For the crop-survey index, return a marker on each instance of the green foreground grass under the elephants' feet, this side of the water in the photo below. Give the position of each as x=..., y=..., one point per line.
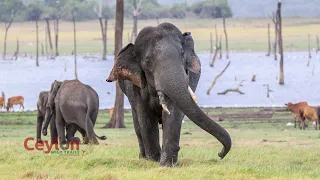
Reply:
x=262, y=149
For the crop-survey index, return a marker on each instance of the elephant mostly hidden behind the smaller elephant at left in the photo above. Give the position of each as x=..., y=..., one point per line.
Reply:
x=41, y=108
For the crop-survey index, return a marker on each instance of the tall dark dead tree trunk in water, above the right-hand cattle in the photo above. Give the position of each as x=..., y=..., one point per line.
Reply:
x=279, y=19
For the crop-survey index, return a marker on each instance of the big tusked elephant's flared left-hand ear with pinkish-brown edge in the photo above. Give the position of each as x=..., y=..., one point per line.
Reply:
x=127, y=67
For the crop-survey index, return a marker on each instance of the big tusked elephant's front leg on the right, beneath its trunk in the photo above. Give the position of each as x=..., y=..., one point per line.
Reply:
x=171, y=134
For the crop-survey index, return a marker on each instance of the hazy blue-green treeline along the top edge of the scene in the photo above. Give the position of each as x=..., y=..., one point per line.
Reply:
x=28, y=10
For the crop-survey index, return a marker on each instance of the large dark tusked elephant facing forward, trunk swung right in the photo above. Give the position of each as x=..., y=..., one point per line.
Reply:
x=155, y=73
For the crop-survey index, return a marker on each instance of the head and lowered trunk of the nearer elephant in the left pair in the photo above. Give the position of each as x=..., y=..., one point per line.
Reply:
x=50, y=106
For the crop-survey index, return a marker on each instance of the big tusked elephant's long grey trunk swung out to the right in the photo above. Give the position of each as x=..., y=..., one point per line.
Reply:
x=174, y=84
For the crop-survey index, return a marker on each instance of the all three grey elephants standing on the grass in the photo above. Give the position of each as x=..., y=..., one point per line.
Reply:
x=158, y=74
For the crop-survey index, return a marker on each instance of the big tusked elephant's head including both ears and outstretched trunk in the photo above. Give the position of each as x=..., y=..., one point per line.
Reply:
x=161, y=58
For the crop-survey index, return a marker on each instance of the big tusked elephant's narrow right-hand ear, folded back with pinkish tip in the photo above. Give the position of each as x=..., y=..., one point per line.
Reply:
x=193, y=62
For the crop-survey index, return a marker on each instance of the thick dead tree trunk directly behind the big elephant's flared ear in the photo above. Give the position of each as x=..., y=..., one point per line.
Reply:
x=117, y=119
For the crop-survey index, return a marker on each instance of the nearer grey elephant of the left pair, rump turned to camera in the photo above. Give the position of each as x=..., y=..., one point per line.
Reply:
x=73, y=104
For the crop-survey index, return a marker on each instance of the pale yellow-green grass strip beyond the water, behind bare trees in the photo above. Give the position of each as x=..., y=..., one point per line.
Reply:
x=244, y=34
